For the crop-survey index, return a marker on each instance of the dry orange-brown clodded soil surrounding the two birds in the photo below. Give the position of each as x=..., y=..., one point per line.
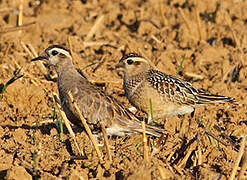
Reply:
x=211, y=36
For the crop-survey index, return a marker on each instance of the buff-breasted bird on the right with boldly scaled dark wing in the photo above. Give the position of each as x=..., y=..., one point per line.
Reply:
x=161, y=95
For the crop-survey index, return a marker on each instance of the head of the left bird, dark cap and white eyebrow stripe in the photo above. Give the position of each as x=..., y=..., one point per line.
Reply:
x=55, y=55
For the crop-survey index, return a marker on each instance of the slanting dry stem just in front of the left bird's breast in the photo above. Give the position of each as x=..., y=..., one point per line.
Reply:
x=67, y=124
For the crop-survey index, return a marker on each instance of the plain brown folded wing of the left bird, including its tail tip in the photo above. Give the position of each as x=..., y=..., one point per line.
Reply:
x=96, y=106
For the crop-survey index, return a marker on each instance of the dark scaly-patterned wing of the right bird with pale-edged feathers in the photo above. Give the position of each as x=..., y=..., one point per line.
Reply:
x=180, y=91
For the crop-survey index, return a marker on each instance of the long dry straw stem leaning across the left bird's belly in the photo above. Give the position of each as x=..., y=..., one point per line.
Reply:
x=86, y=126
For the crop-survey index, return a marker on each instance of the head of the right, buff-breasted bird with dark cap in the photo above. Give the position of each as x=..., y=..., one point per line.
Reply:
x=132, y=64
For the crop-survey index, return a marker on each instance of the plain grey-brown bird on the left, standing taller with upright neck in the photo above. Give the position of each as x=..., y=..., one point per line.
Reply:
x=94, y=104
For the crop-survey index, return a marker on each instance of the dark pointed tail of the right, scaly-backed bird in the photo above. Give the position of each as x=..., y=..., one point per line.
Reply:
x=204, y=98
